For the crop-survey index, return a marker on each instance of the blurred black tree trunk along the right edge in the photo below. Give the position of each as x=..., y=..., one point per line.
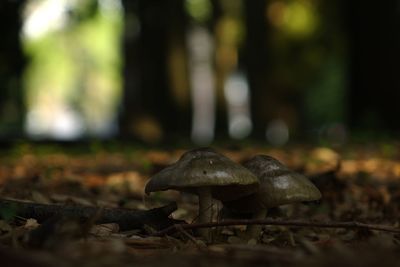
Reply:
x=373, y=32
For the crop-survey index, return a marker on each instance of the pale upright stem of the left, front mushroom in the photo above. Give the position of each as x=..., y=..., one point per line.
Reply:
x=205, y=210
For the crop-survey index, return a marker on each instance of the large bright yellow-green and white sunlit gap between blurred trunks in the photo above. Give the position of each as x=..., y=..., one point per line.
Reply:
x=72, y=80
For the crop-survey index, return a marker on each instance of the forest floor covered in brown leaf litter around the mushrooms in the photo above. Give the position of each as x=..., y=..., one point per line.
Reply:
x=359, y=183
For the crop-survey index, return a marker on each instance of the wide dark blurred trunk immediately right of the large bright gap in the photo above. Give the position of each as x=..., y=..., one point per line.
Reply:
x=146, y=91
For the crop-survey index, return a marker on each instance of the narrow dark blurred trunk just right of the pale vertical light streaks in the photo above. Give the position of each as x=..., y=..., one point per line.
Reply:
x=256, y=58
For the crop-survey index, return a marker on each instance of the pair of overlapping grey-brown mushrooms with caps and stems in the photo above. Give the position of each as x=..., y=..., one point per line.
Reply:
x=263, y=182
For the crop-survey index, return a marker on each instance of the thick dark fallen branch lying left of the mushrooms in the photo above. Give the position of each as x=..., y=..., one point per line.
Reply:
x=127, y=219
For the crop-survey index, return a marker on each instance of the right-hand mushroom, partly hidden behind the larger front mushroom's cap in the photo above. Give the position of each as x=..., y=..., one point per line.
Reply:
x=278, y=186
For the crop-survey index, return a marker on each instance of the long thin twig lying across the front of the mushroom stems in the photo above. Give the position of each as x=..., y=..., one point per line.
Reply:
x=294, y=223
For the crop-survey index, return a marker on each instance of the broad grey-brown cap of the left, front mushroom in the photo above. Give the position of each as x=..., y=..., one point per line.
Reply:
x=204, y=167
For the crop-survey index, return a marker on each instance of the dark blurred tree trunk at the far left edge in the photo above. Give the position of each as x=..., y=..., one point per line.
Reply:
x=12, y=62
